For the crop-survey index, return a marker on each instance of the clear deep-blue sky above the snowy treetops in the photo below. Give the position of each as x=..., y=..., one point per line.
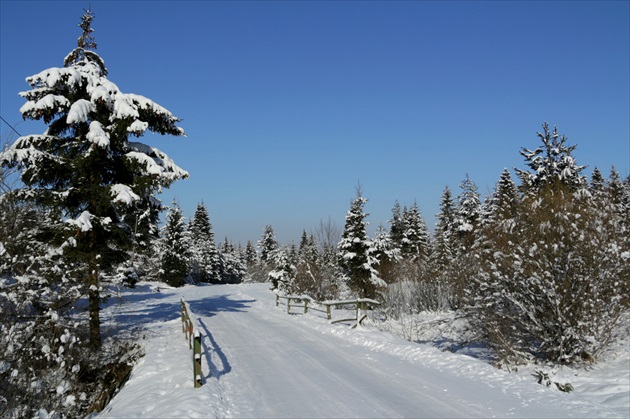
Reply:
x=287, y=105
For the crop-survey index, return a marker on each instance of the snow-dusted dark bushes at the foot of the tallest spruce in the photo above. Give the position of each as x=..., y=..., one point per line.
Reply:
x=46, y=362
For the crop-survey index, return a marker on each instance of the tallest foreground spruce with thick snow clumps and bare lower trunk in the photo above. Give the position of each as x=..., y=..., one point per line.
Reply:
x=85, y=166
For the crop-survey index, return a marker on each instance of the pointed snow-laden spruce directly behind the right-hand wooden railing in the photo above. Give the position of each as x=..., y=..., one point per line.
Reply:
x=356, y=254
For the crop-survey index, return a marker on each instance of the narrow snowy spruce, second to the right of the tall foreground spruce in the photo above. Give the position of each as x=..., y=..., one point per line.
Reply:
x=204, y=259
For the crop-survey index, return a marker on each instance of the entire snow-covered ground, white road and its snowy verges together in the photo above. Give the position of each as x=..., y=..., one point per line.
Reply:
x=261, y=362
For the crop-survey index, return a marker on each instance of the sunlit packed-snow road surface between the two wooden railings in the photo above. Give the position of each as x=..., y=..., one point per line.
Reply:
x=297, y=373
